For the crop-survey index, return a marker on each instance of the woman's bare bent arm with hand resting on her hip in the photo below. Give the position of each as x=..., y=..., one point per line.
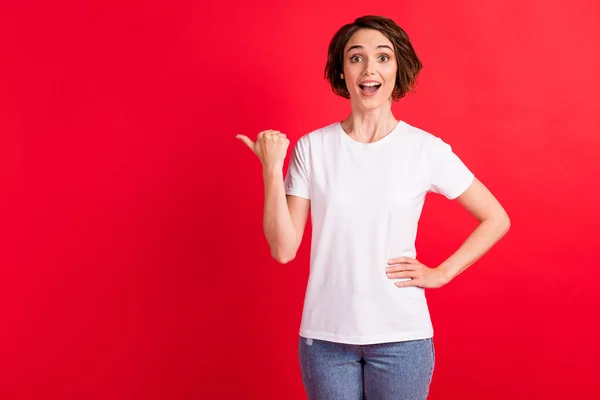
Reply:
x=493, y=224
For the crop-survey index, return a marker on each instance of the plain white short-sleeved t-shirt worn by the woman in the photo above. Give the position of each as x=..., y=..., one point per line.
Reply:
x=366, y=200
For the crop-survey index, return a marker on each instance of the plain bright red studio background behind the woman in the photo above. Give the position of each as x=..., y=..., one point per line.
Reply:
x=132, y=259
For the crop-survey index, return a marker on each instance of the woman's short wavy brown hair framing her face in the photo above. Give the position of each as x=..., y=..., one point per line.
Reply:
x=409, y=65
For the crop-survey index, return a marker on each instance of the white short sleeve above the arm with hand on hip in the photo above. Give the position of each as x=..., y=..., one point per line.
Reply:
x=449, y=175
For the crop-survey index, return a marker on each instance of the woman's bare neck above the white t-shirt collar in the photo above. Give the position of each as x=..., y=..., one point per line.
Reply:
x=369, y=125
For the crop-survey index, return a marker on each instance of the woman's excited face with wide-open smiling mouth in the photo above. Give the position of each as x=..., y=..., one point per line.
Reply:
x=370, y=69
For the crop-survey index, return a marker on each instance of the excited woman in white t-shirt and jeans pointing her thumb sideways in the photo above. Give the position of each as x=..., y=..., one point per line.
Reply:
x=366, y=329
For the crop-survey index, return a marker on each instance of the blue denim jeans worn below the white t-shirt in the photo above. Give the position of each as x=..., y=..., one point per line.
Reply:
x=337, y=371
